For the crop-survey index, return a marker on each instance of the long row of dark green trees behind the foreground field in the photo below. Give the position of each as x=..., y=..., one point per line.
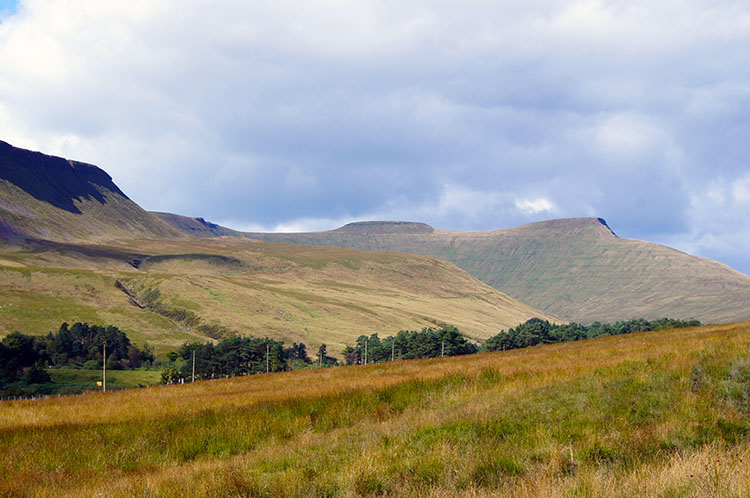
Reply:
x=24, y=358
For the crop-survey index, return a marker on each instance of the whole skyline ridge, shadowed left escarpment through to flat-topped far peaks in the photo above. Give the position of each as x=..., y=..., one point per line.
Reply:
x=575, y=268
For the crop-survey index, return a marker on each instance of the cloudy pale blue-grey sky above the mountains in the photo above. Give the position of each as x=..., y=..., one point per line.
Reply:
x=470, y=115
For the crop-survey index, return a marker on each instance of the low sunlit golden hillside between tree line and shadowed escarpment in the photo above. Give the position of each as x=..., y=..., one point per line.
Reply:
x=296, y=293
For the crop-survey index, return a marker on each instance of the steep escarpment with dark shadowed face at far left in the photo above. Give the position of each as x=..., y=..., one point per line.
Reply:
x=51, y=198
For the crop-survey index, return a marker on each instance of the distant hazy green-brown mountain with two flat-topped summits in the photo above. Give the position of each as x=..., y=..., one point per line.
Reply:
x=577, y=269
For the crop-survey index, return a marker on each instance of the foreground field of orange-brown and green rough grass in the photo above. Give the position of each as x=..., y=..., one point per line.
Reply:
x=658, y=413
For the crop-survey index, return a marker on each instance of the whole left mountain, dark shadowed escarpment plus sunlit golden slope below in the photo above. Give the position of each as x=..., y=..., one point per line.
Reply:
x=77, y=249
